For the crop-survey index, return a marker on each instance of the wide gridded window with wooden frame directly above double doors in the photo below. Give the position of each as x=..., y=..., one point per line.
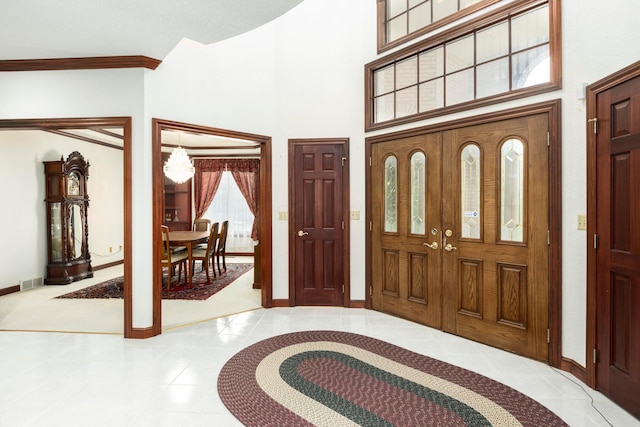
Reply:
x=514, y=54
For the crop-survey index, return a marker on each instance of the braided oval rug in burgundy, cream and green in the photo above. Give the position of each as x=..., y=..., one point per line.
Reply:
x=329, y=378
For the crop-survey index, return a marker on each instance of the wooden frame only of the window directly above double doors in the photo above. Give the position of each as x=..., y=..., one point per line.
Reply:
x=481, y=22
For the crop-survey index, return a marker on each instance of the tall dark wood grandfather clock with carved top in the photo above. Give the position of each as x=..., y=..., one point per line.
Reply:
x=67, y=202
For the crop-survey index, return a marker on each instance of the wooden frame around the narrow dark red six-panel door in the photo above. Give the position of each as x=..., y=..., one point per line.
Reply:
x=346, y=302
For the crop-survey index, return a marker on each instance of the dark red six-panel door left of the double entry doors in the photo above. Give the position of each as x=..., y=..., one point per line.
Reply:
x=318, y=222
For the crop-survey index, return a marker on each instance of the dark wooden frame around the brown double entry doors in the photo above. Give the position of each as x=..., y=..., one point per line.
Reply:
x=553, y=110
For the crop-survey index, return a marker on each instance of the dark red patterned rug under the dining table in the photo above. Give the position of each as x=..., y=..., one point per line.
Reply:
x=201, y=290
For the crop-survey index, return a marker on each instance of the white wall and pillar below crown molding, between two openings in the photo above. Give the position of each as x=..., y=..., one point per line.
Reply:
x=97, y=93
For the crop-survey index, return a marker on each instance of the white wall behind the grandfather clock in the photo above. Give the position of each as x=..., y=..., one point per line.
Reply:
x=24, y=210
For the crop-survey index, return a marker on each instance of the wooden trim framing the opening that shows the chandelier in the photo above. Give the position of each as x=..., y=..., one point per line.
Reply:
x=264, y=208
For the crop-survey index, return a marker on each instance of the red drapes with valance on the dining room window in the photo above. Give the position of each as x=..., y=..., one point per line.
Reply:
x=246, y=173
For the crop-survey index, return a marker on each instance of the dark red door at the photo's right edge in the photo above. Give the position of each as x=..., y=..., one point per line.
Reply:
x=618, y=251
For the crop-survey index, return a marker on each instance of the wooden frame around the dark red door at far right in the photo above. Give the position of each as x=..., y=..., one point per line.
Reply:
x=592, y=92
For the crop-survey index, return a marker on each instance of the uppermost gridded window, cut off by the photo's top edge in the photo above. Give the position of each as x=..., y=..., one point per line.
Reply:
x=403, y=20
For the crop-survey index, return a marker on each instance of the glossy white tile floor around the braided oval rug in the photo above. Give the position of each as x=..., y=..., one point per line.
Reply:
x=78, y=379
